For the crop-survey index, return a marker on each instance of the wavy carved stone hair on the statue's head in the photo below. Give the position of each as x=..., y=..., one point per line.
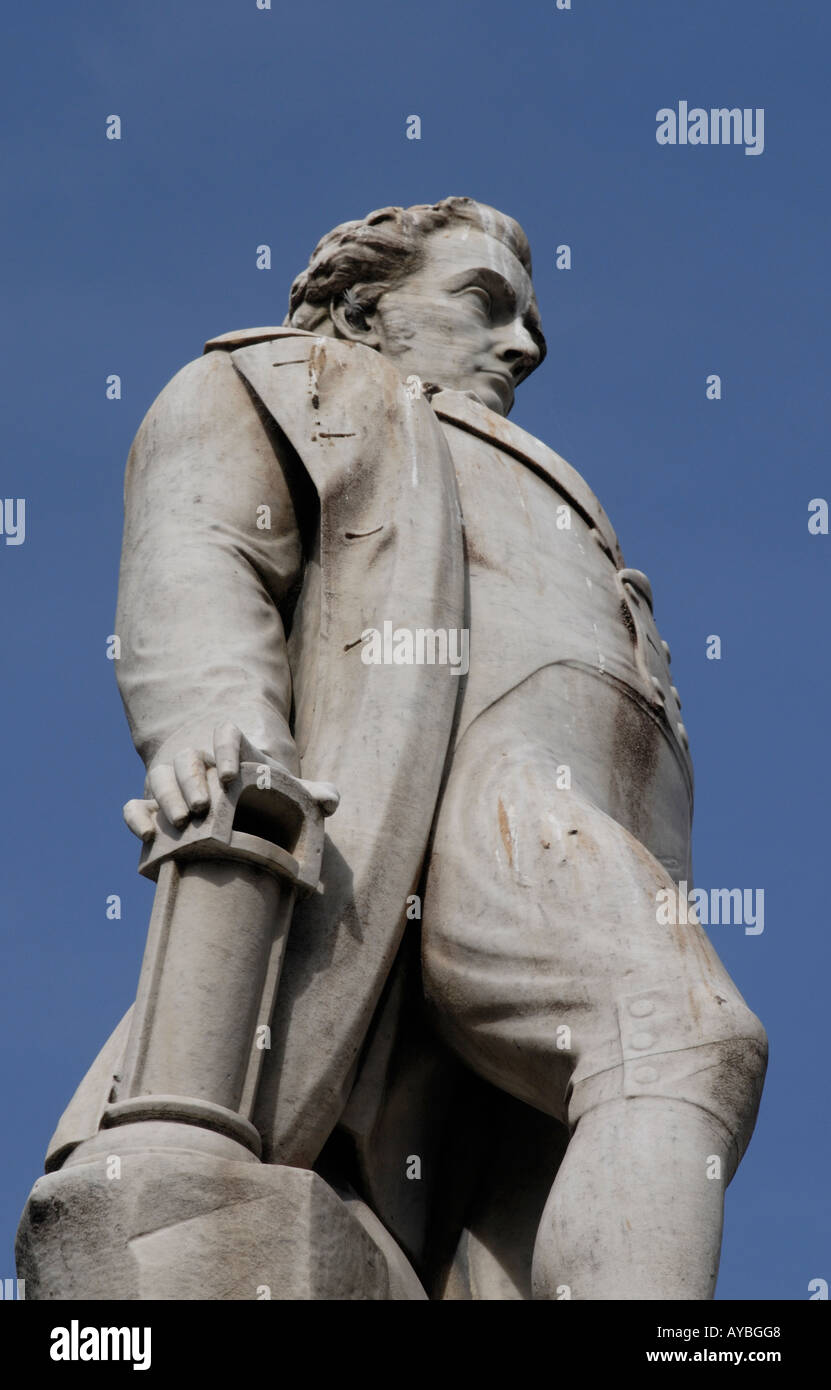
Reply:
x=361, y=261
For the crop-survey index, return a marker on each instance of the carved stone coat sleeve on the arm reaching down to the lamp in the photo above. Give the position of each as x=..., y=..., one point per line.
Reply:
x=212, y=551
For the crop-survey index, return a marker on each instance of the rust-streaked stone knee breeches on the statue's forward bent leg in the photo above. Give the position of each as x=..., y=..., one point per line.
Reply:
x=544, y=960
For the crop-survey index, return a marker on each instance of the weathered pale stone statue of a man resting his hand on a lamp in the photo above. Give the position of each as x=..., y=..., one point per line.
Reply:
x=408, y=1024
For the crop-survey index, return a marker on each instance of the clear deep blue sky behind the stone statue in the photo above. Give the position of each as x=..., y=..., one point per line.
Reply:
x=244, y=127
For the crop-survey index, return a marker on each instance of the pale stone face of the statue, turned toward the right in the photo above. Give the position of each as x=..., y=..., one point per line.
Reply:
x=465, y=320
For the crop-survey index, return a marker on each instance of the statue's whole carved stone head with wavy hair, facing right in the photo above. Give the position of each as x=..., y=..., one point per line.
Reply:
x=444, y=291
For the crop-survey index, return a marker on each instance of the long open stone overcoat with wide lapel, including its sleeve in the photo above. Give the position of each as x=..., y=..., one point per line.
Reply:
x=388, y=547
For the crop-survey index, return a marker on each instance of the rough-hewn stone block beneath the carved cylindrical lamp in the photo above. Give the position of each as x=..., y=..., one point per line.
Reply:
x=191, y=1228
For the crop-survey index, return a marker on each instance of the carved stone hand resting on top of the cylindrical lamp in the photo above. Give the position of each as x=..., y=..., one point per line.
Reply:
x=177, y=780
